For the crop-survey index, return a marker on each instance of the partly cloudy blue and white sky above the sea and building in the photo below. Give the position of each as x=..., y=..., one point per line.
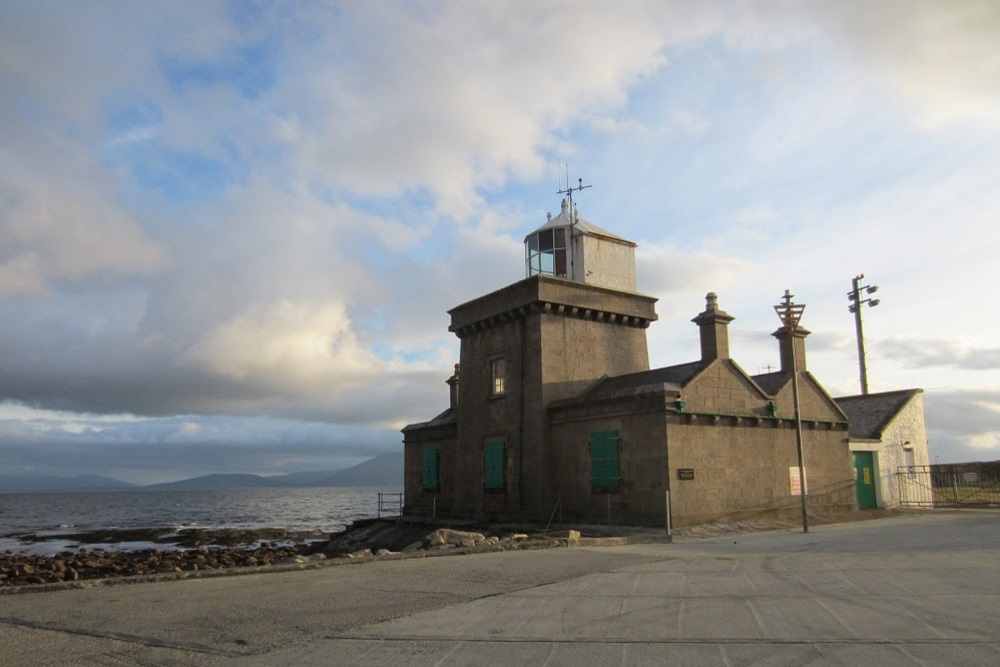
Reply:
x=230, y=232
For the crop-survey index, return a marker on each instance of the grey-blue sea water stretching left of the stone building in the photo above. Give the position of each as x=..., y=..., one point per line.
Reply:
x=326, y=509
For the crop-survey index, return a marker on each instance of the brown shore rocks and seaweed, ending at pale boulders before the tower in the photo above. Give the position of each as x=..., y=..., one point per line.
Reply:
x=212, y=550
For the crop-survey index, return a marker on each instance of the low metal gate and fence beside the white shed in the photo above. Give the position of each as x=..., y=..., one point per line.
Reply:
x=947, y=486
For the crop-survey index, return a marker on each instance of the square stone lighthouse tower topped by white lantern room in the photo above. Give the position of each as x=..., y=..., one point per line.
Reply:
x=574, y=319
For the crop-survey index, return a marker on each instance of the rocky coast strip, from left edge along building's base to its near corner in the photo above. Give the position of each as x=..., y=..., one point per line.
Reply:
x=233, y=552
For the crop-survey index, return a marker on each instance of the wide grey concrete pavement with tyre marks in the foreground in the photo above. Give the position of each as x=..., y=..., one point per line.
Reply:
x=921, y=589
